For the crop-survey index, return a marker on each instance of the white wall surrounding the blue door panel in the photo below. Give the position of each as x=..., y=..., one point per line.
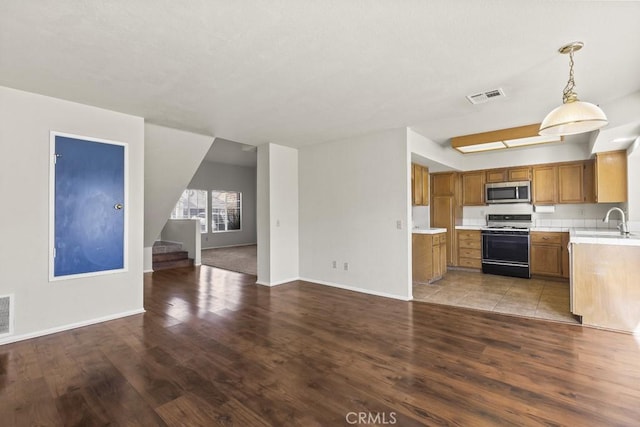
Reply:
x=42, y=306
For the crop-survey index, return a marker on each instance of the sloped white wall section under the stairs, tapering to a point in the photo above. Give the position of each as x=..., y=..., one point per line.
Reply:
x=171, y=157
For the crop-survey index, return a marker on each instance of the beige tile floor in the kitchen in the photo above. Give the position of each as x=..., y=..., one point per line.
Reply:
x=543, y=299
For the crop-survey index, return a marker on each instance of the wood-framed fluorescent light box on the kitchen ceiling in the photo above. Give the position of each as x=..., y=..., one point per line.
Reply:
x=502, y=139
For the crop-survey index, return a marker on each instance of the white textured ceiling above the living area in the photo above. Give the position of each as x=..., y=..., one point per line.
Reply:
x=297, y=72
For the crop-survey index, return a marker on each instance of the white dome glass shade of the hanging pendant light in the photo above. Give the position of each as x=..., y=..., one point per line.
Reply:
x=573, y=118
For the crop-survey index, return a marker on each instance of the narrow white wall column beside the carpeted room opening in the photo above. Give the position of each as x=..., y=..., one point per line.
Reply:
x=277, y=214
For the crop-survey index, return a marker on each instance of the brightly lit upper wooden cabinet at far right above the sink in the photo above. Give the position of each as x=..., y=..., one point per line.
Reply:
x=611, y=177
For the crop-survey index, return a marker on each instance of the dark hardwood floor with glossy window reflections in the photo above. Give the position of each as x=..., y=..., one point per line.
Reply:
x=213, y=348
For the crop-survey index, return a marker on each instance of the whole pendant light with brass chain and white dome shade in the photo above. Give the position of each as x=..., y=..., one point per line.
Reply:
x=573, y=116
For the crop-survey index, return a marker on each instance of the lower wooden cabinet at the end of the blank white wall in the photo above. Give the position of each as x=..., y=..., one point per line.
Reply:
x=429, y=257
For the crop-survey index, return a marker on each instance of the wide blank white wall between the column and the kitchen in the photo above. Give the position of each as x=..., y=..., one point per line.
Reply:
x=352, y=193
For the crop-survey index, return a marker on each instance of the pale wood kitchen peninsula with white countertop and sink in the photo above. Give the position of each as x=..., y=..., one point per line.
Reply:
x=605, y=279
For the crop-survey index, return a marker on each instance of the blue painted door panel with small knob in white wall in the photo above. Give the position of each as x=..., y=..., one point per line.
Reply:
x=89, y=230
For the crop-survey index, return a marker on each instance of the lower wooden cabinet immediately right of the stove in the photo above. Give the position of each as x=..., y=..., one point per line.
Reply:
x=549, y=254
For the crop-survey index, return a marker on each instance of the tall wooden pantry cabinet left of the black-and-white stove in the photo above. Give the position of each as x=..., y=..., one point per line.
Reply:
x=446, y=208
